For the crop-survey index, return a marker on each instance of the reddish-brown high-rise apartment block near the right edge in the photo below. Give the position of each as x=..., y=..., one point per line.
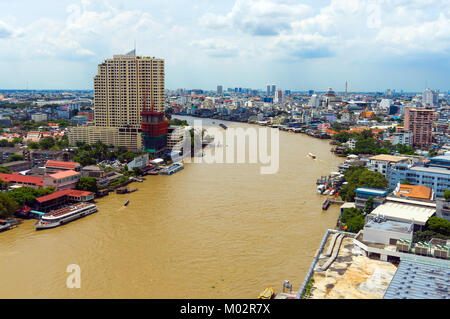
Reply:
x=420, y=122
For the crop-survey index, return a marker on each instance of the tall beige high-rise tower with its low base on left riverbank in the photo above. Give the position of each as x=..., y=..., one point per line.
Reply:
x=124, y=87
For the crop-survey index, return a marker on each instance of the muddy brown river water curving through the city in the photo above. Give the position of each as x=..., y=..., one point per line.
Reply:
x=208, y=231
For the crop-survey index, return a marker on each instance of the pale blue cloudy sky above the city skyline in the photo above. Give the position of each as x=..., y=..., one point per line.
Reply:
x=374, y=45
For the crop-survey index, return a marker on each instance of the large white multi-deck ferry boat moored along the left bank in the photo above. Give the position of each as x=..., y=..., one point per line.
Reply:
x=64, y=215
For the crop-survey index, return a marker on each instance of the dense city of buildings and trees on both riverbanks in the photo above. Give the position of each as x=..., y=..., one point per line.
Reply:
x=59, y=150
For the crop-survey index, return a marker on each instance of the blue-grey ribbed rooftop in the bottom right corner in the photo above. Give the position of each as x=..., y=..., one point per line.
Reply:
x=420, y=278
